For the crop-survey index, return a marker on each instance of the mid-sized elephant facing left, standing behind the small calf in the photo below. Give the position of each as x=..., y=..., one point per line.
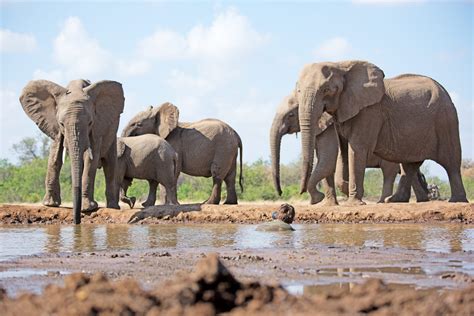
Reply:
x=206, y=148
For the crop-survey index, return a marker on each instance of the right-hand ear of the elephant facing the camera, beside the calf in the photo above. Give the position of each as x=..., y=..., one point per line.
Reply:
x=109, y=102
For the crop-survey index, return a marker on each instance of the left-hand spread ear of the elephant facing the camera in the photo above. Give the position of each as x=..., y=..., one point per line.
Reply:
x=39, y=101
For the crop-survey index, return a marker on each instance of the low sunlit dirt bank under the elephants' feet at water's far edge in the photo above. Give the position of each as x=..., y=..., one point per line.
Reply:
x=245, y=213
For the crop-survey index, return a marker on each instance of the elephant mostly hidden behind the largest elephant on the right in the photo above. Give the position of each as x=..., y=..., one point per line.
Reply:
x=286, y=121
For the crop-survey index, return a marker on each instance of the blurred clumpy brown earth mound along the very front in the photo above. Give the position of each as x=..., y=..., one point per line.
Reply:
x=212, y=289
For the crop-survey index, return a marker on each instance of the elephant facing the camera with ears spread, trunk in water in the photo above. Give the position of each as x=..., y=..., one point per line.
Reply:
x=84, y=118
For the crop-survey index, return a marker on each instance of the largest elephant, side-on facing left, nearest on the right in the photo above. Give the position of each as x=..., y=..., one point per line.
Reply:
x=406, y=119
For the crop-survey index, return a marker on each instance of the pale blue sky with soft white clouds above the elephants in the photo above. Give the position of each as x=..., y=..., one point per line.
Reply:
x=233, y=61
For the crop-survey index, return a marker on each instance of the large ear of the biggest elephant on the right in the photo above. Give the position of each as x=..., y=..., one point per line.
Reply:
x=363, y=86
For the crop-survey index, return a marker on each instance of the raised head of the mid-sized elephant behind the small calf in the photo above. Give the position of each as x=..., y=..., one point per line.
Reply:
x=155, y=120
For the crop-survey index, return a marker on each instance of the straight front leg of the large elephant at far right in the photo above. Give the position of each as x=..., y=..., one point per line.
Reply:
x=357, y=164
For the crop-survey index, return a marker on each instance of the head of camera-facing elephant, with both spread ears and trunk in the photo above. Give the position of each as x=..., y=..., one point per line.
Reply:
x=77, y=115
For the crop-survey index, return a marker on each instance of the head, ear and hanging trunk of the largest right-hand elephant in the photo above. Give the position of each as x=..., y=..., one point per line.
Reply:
x=342, y=89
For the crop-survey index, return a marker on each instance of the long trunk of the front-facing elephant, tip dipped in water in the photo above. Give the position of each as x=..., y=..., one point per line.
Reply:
x=76, y=147
